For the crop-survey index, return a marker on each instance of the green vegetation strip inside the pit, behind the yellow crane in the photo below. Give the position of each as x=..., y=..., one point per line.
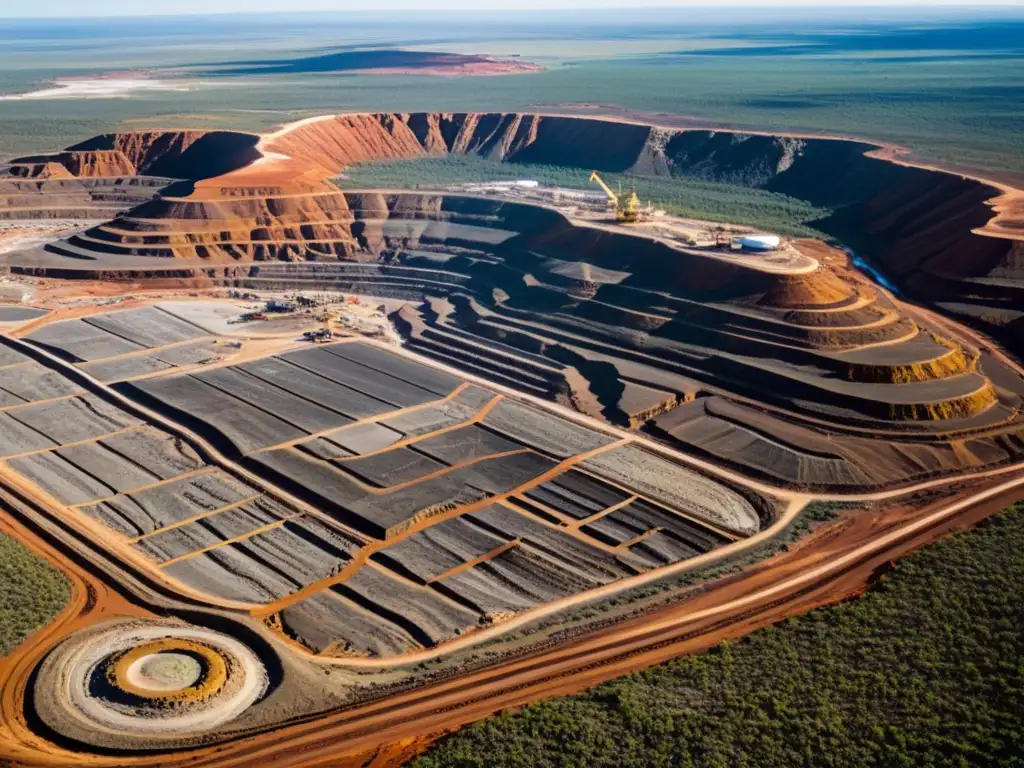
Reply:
x=690, y=198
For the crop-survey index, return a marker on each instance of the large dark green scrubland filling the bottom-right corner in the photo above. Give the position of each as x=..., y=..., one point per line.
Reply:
x=925, y=670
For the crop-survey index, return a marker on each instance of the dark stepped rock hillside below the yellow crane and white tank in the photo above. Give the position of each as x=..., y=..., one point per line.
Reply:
x=599, y=318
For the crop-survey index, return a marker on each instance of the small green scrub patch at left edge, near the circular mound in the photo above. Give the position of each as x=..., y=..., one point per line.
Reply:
x=32, y=593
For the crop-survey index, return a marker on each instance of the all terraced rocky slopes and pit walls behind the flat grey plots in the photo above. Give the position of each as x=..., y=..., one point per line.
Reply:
x=614, y=323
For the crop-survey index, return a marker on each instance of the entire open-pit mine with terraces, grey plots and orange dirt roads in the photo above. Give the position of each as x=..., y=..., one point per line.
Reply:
x=297, y=553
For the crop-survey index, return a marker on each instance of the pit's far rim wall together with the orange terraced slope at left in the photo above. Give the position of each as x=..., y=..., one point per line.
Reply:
x=934, y=234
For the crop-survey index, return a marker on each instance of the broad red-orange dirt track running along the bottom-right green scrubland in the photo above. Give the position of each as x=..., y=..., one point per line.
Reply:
x=391, y=732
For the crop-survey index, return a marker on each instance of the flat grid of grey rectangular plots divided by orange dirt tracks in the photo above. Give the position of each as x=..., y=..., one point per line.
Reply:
x=371, y=503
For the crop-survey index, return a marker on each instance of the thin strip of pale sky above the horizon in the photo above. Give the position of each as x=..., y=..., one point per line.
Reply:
x=69, y=9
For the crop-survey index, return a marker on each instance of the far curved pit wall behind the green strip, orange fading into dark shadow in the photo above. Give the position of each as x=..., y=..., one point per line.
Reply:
x=915, y=225
